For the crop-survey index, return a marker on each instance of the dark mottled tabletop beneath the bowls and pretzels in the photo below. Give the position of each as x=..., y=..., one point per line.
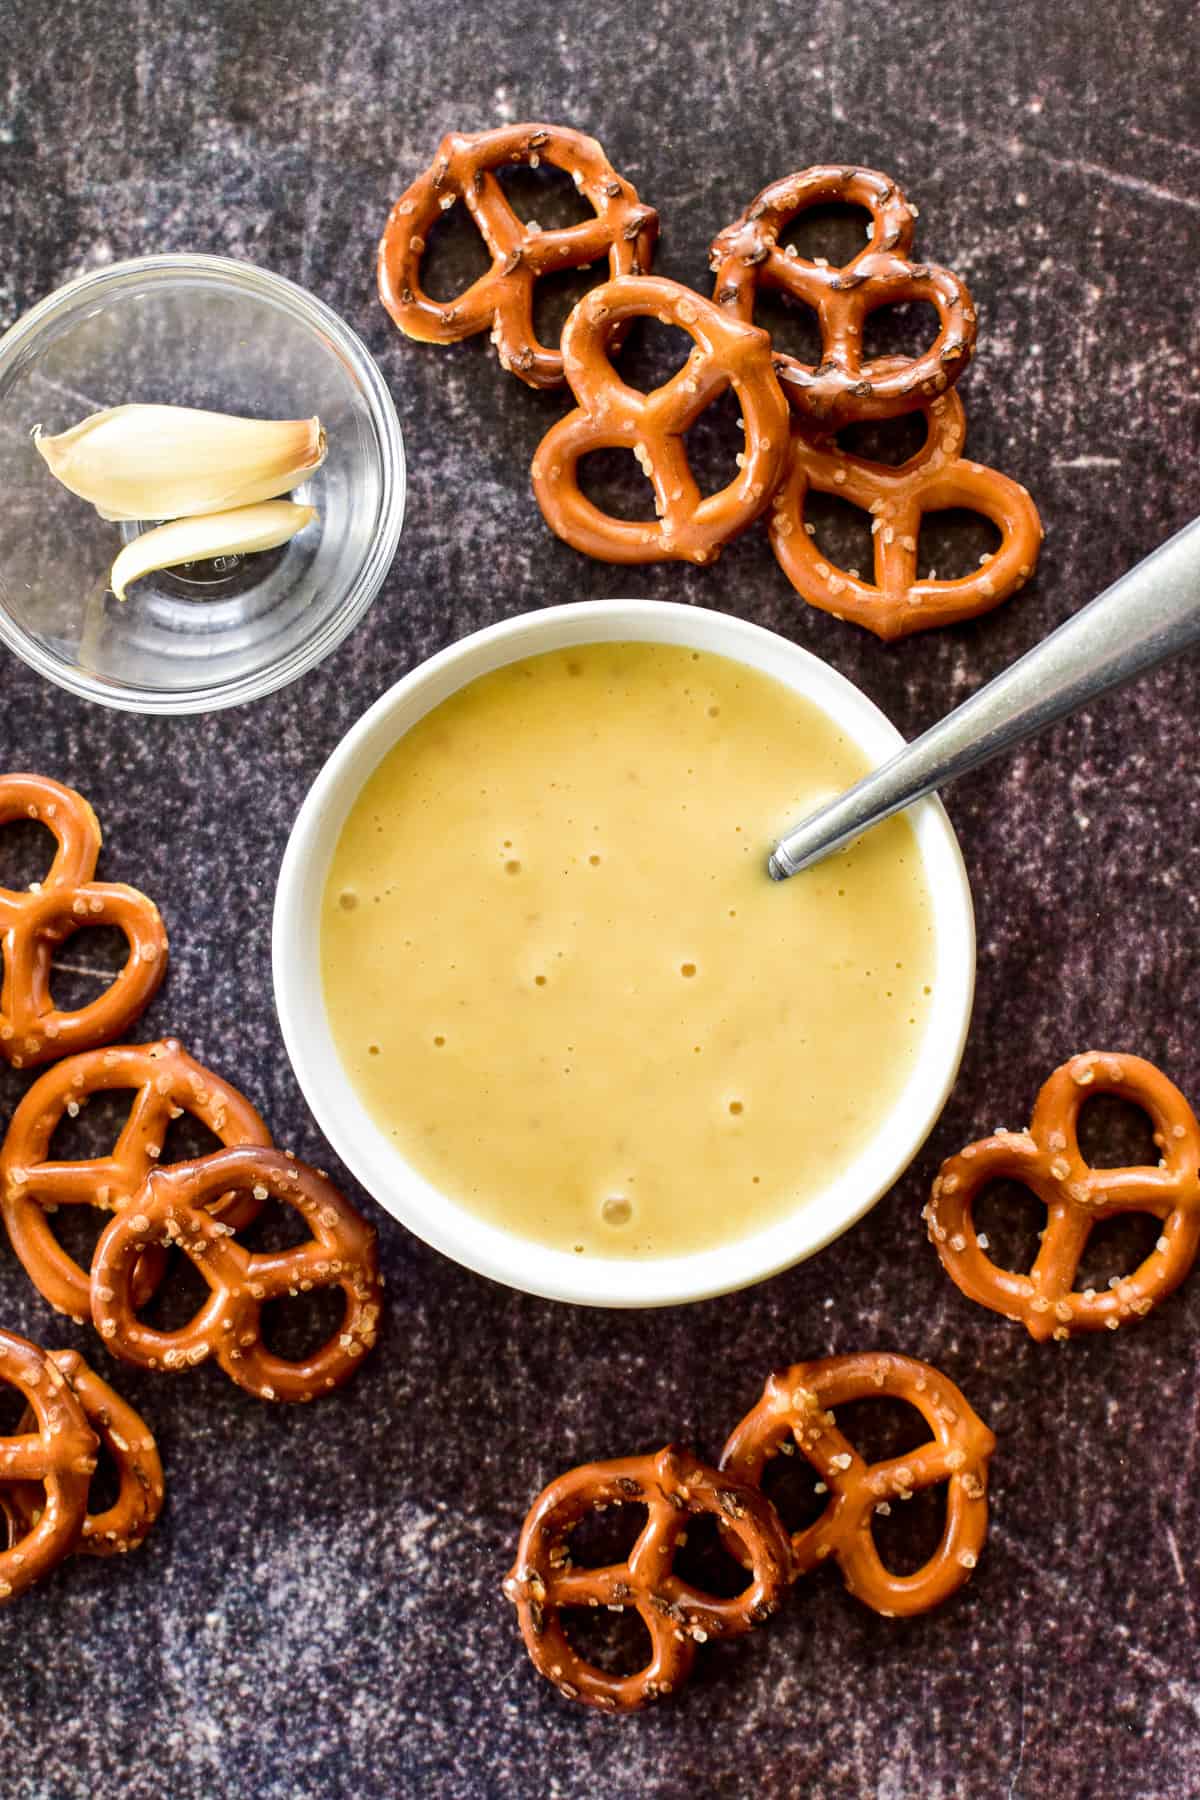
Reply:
x=319, y=1612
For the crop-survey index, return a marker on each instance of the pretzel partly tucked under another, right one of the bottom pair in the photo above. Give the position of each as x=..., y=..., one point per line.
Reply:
x=798, y=1410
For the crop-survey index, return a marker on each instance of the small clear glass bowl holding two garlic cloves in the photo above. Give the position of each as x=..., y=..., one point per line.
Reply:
x=193, y=332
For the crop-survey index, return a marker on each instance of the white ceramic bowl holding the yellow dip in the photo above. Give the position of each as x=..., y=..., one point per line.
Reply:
x=366, y=1149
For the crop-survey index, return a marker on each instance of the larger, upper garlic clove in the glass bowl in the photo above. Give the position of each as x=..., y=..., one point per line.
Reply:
x=179, y=462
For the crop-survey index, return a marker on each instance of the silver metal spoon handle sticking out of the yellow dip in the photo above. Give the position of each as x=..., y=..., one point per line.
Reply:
x=1147, y=616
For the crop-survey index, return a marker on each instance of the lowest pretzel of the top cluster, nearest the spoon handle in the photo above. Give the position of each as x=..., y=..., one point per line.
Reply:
x=899, y=498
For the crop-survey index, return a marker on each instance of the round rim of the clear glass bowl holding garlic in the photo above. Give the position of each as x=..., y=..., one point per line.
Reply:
x=258, y=283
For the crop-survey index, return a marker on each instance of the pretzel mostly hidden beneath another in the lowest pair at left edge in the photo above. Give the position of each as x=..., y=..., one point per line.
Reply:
x=134, y=1452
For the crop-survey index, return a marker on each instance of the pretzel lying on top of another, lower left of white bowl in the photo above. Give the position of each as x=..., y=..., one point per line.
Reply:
x=174, y=1209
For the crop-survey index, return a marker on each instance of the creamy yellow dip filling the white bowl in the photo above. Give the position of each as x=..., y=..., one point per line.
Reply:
x=559, y=973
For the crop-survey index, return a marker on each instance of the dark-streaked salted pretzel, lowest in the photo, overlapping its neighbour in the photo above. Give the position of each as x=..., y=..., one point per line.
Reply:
x=674, y=1488
